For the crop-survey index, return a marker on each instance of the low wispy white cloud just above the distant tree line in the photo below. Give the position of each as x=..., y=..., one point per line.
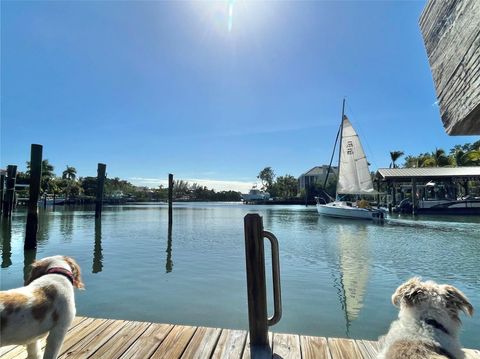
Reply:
x=217, y=185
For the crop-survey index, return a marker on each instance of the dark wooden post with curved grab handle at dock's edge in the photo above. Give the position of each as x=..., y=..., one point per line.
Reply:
x=256, y=285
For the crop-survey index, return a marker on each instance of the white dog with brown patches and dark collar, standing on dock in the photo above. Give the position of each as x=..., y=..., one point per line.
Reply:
x=46, y=305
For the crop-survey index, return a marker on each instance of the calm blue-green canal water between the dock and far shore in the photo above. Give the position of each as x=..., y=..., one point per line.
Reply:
x=337, y=276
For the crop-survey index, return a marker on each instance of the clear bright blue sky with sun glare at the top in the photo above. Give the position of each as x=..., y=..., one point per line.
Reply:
x=212, y=92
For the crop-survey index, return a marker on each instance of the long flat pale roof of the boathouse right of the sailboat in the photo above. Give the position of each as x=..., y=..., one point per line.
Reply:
x=428, y=173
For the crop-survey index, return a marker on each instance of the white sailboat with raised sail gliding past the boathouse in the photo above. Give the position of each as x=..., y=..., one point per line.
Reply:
x=353, y=178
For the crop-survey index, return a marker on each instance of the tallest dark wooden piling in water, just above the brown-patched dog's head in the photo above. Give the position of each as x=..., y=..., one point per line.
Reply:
x=34, y=193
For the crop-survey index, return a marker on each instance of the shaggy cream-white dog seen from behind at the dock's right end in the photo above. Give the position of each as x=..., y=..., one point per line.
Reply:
x=428, y=323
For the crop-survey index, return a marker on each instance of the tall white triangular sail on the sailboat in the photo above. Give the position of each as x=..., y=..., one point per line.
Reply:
x=354, y=176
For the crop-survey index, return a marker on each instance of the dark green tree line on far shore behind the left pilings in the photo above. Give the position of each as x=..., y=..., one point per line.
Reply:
x=73, y=187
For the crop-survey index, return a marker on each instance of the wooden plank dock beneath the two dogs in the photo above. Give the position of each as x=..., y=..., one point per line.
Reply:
x=107, y=338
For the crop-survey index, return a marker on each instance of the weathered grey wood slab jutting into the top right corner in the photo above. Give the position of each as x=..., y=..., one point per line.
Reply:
x=451, y=33
